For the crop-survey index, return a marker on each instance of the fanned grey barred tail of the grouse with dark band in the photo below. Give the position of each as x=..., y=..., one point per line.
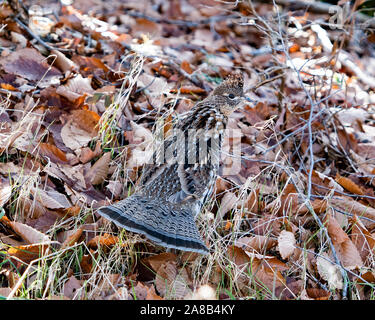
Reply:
x=160, y=221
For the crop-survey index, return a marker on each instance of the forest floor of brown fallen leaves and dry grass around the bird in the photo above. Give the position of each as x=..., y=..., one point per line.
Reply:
x=82, y=86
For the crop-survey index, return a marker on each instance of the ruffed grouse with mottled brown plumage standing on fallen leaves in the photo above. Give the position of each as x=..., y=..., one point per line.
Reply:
x=171, y=193
